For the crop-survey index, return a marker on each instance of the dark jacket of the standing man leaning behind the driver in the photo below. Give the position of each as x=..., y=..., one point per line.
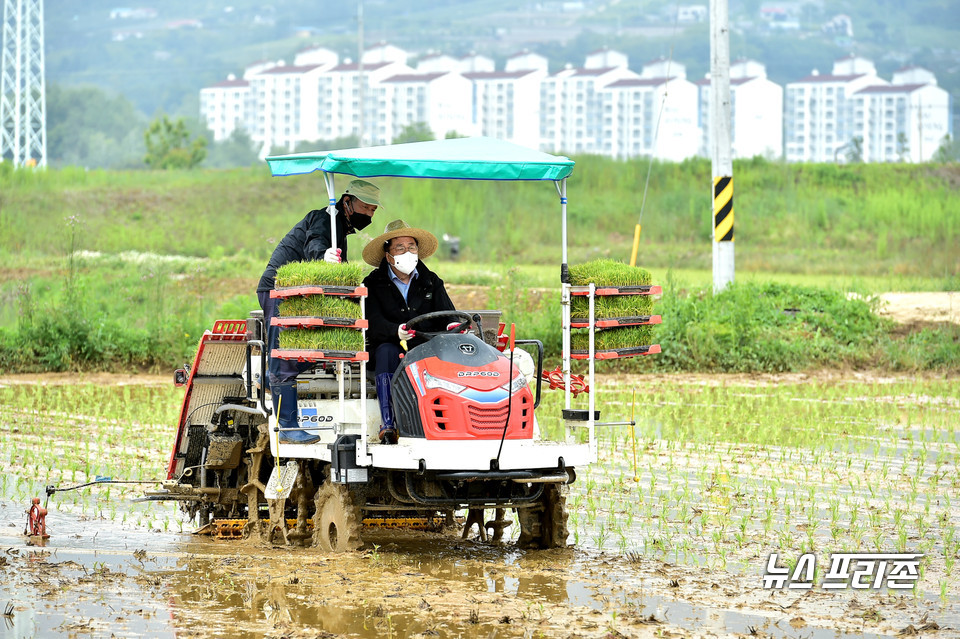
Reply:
x=306, y=242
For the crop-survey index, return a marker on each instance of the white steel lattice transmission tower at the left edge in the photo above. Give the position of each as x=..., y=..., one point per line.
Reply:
x=23, y=103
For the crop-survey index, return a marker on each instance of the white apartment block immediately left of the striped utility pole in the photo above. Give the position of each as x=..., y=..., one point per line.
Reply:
x=654, y=114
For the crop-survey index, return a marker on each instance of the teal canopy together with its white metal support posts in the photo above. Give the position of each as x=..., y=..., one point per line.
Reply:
x=477, y=158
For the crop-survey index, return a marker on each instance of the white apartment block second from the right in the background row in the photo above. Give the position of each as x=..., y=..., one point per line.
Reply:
x=818, y=113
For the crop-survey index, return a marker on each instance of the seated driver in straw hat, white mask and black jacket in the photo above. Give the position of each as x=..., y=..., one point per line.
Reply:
x=401, y=288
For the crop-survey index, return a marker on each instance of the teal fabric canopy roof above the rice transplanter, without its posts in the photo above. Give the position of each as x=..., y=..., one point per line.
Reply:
x=457, y=158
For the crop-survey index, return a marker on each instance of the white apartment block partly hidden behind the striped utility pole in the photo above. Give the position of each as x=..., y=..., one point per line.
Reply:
x=756, y=112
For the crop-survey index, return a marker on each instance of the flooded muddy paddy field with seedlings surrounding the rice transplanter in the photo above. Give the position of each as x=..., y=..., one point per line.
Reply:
x=670, y=532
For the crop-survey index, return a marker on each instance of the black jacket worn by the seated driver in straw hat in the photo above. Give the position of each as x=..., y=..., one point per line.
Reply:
x=386, y=309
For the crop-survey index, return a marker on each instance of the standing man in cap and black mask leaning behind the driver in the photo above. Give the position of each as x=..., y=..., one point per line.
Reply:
x=309, y=240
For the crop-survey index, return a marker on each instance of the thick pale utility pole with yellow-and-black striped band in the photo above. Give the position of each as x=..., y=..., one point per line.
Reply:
x=722, y=159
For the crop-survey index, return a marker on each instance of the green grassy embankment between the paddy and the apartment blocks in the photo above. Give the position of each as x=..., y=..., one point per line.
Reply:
x=125, y=269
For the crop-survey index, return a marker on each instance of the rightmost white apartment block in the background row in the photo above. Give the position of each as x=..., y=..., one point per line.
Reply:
x=904, y=121
